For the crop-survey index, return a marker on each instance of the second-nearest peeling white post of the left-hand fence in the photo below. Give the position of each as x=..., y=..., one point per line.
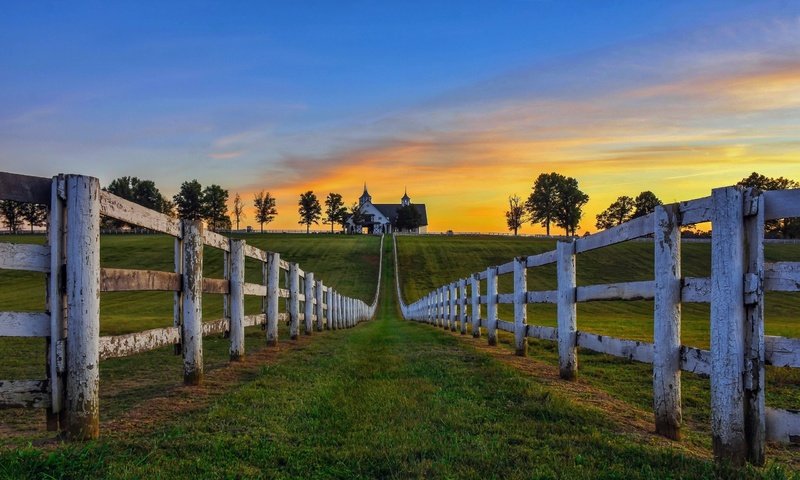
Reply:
x=192, y=328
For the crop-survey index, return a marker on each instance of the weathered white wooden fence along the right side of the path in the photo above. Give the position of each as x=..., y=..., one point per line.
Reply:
x=740, y=421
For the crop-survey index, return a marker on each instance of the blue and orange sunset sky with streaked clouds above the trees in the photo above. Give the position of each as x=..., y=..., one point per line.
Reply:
x=463, y=103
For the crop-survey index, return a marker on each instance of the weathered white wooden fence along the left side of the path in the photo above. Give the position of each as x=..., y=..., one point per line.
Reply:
x=75, y=278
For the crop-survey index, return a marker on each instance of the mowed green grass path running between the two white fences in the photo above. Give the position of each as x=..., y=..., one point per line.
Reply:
x=388, y=399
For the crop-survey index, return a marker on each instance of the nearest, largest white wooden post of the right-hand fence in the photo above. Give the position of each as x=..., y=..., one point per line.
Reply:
x=727, y=325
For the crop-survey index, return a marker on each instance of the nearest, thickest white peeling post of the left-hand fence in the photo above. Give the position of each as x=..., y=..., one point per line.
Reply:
x=83, y=307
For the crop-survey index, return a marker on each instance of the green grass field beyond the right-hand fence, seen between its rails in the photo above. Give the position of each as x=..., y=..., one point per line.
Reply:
x=421, y=270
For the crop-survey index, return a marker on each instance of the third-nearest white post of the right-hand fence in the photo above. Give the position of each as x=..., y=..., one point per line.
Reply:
x=567, y=311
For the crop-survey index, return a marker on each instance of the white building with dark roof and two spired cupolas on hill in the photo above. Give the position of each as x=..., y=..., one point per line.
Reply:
x=380, y=218
